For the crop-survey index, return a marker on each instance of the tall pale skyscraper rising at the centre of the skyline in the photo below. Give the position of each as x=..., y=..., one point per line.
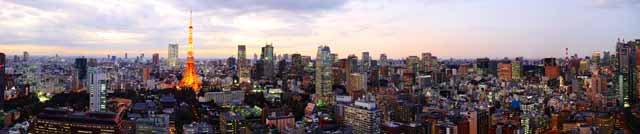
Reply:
x=323, y=80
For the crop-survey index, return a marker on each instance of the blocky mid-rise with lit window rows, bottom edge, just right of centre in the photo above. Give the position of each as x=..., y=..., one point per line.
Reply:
x=363, y=116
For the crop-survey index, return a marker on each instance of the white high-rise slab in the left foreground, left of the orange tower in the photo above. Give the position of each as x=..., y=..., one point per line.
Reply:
x=97, y=88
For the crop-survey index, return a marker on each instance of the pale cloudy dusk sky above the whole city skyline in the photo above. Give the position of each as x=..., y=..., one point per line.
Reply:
x=399, y=28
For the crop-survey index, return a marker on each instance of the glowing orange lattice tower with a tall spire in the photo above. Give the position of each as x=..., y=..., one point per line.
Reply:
x=190, y=78
